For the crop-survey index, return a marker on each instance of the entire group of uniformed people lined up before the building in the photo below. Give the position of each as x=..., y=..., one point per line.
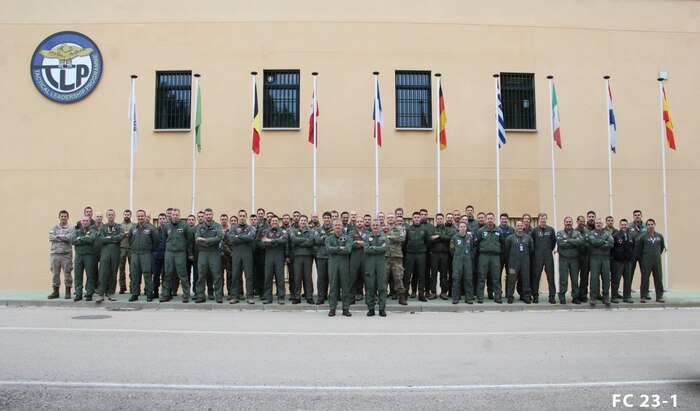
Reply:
x=240, y=256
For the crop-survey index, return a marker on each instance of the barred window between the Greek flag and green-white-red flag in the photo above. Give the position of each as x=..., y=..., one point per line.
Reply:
x=518, y=94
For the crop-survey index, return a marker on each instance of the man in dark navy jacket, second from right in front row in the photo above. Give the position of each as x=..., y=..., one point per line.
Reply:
x=622, y=259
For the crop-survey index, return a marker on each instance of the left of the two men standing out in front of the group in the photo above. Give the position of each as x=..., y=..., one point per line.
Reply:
x=338, y=246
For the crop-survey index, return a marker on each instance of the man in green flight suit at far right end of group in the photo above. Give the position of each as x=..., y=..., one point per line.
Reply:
x=649, y=246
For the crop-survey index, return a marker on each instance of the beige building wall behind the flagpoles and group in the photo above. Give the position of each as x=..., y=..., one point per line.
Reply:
x=58, y=156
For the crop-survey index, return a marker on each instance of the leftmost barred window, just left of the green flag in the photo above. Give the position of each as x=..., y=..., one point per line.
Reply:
x=173, y=97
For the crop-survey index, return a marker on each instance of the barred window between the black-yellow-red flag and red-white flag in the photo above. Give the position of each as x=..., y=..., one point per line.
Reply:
x=281, y=99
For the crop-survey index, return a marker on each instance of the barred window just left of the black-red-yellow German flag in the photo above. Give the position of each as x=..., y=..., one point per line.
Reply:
x=413, y=99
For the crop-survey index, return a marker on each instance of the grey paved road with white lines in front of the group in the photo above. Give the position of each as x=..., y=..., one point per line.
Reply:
x=87, y=358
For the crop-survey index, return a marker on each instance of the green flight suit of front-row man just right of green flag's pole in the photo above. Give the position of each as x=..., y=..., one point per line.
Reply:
x=208, y=260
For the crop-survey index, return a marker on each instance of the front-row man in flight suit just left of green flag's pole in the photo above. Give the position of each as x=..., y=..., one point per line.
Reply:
x=178, y=249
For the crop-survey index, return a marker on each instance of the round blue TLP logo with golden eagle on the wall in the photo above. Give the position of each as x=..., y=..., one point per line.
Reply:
x=66, y=67
